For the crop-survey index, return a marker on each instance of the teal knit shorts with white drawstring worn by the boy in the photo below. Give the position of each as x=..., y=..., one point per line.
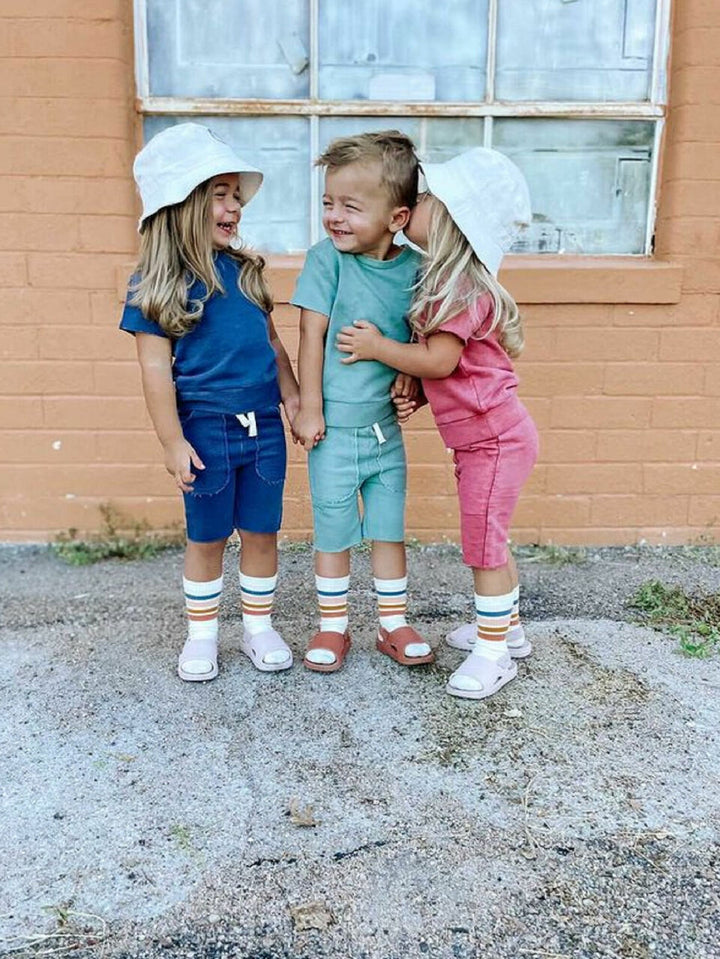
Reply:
x=366, y=462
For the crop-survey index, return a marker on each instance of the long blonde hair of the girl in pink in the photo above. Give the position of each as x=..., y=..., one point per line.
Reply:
x=452, y=280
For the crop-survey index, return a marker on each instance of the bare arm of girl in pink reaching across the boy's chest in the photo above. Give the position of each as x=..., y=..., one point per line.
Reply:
x=433, y=358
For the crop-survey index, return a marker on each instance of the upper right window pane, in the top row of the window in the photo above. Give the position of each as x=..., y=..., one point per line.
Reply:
x=575, y=49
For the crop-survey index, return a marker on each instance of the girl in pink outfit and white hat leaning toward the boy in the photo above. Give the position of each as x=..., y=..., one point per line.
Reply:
x=467, y=330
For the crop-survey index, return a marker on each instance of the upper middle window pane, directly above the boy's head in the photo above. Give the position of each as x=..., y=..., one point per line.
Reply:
x=404, y=50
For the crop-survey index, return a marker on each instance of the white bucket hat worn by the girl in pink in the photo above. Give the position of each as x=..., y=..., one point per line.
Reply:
x=486, y=196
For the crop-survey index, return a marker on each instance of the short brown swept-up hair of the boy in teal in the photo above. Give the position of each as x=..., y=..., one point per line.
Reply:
x=392, y=149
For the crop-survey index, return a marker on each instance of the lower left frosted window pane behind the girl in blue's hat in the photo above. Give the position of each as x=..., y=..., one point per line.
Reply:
x=277, y=220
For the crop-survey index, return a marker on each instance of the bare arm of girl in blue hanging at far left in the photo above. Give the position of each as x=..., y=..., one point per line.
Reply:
x=155, y=358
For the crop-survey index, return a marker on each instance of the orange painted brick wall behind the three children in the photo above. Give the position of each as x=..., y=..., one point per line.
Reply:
x=621, y=370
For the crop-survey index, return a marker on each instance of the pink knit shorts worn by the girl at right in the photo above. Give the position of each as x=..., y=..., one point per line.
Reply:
x=490, y=475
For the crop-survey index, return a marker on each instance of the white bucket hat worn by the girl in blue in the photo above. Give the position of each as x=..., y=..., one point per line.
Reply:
x=176, y=160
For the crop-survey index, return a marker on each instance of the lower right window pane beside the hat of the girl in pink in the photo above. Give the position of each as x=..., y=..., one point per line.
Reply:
x=589, y=182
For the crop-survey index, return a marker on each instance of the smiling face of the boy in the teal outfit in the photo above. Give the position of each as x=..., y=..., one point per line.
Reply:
x=358, y=214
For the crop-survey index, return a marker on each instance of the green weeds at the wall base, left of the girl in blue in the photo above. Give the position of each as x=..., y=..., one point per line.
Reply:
x=119, y=537
